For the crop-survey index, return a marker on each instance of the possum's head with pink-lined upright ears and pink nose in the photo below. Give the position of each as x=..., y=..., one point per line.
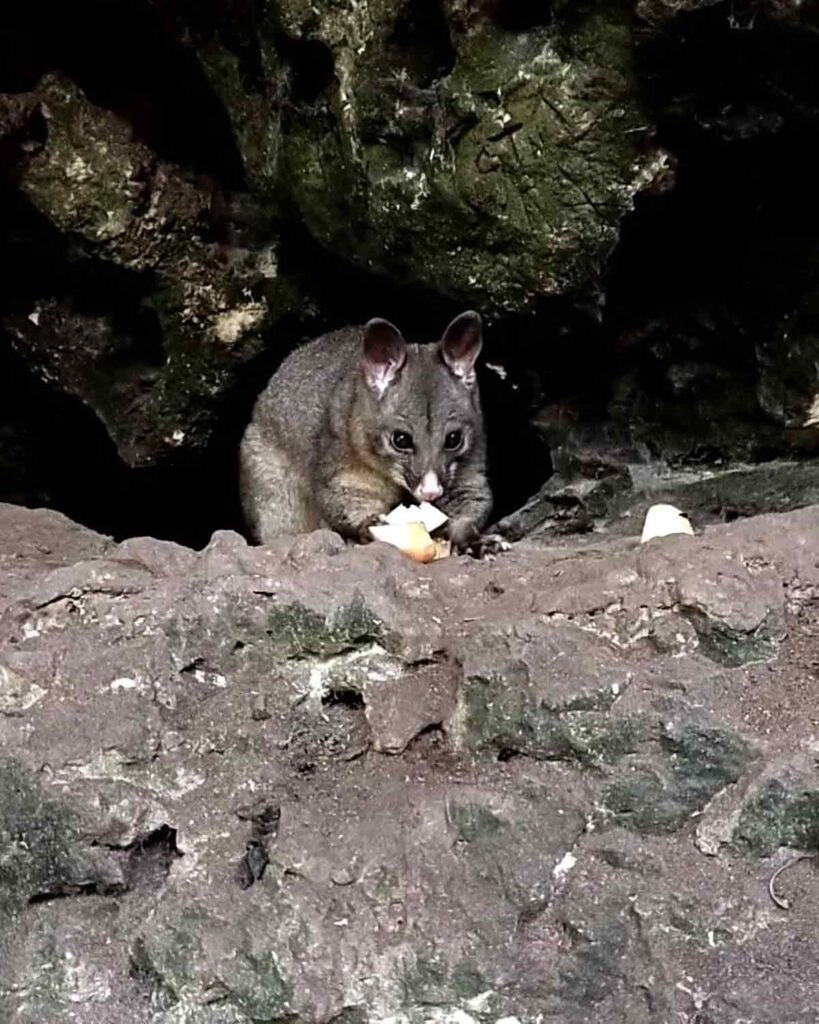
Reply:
x=425, y=420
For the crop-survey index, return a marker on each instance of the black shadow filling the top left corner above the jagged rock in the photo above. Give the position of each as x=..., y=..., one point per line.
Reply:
x=127, y=59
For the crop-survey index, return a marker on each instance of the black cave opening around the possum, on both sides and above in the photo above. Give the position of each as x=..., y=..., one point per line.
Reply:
x=56, y=453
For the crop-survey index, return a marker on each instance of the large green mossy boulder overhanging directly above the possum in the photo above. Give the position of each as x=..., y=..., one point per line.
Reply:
x=505, y=181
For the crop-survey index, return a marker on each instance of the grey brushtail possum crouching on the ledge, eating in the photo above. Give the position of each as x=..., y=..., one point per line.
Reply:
x=357, y=422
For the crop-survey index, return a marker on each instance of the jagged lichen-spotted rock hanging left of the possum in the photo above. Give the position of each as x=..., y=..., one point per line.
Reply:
x=151, y=366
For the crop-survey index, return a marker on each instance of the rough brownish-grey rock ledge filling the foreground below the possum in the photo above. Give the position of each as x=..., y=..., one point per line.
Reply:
x=319, y=784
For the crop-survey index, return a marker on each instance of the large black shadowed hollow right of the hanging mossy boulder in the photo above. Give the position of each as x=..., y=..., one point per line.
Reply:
x=707, y=272
